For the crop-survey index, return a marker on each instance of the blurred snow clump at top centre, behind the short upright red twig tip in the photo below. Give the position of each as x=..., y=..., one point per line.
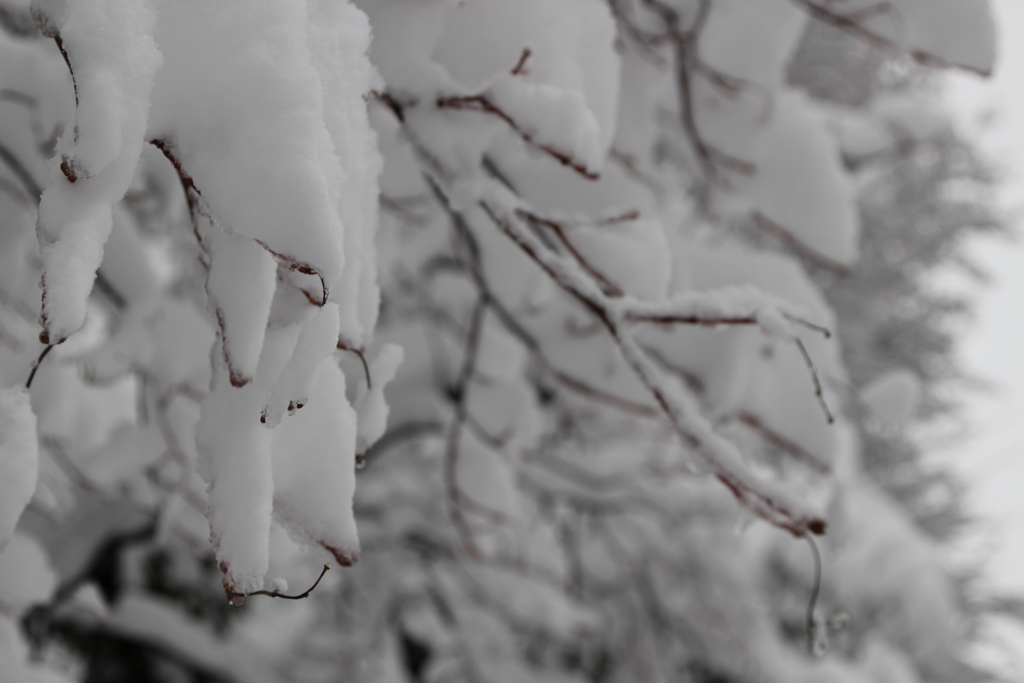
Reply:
x=571, y=108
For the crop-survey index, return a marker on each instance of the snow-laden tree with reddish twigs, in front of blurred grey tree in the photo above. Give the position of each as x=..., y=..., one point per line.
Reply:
x=556, y=278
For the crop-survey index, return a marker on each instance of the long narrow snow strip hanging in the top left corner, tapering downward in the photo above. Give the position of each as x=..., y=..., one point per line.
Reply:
x=114, y=60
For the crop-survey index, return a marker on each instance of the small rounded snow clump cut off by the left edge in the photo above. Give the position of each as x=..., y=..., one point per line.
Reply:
x=19, y=456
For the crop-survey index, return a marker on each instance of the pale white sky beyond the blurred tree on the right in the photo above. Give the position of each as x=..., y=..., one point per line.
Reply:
x=994, y=348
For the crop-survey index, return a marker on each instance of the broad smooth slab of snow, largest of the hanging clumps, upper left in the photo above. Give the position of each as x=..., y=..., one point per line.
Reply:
x=252, y=134
